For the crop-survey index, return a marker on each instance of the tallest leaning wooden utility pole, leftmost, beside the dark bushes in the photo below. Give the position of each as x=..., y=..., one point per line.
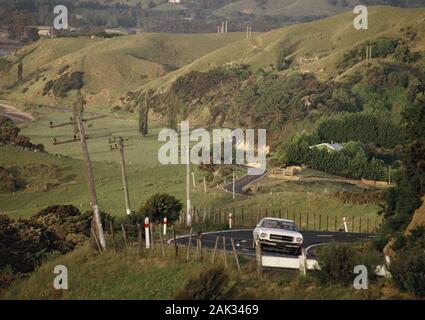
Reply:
x=91, y=185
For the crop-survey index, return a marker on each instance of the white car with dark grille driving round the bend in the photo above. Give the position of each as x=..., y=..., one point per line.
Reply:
x=280, y=234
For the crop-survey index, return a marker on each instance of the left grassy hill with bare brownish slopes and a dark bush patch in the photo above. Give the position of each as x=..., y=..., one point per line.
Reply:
x=111, y=67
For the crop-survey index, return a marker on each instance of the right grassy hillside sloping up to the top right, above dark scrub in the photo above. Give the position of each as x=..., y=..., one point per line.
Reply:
x=317, y=45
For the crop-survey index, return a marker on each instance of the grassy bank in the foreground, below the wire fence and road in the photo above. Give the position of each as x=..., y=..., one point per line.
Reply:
x=129, y=276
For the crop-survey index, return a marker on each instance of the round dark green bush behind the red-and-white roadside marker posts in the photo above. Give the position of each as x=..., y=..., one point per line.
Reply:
x=159, y=206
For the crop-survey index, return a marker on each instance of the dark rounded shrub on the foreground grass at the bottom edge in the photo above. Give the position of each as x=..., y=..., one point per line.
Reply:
x=212, y=284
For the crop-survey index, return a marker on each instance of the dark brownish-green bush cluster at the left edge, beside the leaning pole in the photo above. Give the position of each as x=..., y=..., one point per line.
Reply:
x=25, y=243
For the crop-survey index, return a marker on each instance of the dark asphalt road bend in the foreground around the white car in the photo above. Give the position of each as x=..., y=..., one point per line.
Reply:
x=243, y=240
